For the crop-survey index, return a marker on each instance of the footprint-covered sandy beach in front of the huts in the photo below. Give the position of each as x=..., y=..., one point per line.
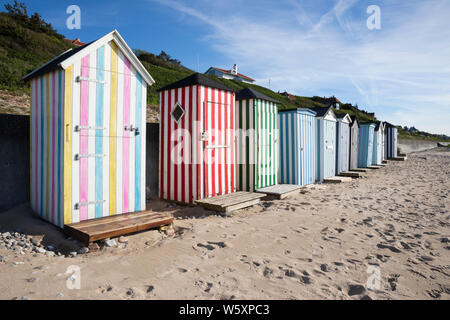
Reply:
x=383, y=236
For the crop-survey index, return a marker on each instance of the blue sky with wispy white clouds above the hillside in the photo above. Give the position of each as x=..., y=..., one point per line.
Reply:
x=307, y=47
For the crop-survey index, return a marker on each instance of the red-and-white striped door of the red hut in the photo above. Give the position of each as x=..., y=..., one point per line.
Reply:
x=218, y=146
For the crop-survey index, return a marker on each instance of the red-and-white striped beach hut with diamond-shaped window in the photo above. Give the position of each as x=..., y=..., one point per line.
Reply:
x=197, y=139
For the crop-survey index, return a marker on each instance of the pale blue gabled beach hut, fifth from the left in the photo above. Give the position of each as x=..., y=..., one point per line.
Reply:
x=326, y=143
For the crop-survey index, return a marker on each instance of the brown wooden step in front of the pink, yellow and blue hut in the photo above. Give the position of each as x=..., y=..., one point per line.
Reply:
x=117, y=225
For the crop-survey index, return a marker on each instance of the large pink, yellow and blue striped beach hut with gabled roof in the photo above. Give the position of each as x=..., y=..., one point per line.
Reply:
x=88, y=120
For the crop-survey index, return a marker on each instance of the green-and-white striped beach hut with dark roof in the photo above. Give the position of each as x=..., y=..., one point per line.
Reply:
x=257, y=144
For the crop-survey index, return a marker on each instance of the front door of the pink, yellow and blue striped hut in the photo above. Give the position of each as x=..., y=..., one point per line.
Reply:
x=106, y=170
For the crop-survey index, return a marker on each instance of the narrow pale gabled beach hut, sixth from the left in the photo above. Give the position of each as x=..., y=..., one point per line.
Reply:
x=343, y=143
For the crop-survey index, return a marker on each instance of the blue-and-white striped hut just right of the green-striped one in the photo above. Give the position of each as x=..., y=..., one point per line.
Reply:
x=298, y=151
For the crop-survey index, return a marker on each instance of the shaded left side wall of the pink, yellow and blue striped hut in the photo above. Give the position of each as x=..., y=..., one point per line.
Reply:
x=46, y=147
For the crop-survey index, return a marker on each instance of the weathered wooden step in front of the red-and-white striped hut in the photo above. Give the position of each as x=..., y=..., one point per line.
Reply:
x=230, y=202
